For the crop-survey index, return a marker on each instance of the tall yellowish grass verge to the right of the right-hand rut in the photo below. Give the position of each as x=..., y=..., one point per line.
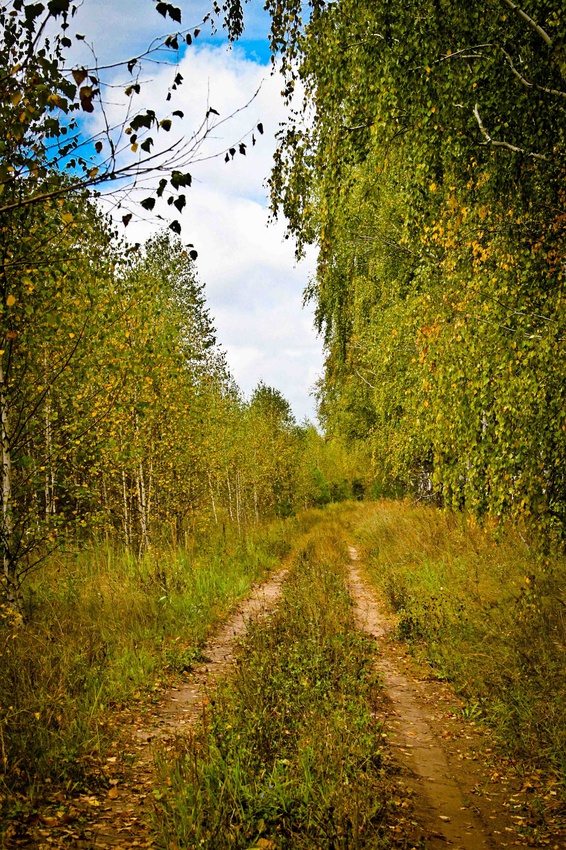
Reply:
x=486, y=613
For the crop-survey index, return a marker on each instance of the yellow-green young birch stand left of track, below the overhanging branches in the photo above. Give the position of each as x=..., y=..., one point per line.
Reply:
x=120, y=419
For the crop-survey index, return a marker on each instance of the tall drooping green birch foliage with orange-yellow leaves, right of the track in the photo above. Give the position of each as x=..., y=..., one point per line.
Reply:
x=429, y=169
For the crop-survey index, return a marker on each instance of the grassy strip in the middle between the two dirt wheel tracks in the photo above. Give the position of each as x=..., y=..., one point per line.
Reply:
x=290, y=754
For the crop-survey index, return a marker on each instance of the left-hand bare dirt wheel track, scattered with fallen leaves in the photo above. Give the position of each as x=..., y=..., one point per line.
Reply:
x=119, y=817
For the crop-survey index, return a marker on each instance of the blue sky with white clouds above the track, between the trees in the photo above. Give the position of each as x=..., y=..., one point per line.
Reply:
x=254, y=287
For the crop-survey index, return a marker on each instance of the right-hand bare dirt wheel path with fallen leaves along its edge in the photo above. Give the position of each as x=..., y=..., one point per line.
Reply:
x=458, y=800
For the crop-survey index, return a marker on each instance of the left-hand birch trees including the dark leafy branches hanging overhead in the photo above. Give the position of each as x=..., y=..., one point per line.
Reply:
x=119, y=419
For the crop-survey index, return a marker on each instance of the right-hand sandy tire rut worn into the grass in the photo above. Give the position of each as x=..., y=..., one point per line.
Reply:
x=440, y=783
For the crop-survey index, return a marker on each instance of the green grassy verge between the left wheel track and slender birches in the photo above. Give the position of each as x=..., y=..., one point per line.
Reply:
x=103, y=629
